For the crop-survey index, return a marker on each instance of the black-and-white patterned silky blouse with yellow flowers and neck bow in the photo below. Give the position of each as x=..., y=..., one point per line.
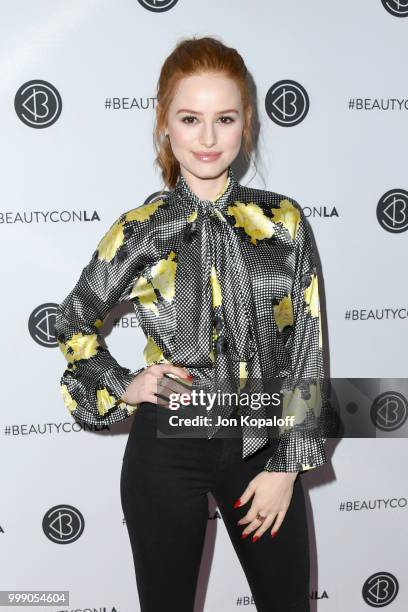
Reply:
x=227, y=289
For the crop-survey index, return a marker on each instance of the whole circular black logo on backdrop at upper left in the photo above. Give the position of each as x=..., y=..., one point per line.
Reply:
x=38, y=103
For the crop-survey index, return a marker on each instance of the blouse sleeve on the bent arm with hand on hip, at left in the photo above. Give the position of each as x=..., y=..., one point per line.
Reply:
x=93, y=381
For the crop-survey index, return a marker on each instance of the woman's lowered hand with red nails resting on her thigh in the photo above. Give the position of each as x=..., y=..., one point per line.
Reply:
x=272, y=494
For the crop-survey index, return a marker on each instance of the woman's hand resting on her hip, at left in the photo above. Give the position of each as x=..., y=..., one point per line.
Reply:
x=152, y=380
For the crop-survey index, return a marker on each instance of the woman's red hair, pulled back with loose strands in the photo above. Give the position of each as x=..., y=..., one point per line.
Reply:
x=194, y=56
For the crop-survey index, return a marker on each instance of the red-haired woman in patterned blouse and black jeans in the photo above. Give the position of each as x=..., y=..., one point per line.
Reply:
x=223, y=281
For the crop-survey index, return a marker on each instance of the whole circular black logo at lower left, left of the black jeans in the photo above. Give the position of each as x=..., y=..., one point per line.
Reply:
x=63, y=524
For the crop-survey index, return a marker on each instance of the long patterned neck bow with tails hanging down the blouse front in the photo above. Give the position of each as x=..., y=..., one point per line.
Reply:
x=217, y=321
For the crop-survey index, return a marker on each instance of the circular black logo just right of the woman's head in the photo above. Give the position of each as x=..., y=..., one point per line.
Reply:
x=287, y=103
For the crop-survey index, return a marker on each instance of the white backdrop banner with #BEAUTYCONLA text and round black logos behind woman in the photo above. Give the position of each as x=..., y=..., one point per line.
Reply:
x=77, y=107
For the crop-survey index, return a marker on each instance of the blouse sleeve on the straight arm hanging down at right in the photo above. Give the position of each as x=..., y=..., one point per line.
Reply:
x=301, y=442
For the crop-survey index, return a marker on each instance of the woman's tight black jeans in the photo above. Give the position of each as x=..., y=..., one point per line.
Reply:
x=164, y=485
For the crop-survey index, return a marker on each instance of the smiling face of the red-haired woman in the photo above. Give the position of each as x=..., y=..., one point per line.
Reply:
x=205, y=123
